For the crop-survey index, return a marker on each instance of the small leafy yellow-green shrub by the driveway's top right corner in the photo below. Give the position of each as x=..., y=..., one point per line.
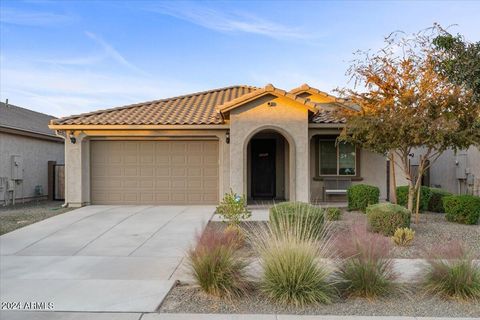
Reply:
x=233, y=208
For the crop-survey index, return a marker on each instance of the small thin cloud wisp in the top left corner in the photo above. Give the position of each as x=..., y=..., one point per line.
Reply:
x=34, y=18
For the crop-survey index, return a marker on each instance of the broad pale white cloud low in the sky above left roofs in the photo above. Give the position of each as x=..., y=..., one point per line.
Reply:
x=66, y=90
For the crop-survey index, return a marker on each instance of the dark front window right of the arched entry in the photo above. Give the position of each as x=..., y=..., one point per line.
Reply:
x=339, y=160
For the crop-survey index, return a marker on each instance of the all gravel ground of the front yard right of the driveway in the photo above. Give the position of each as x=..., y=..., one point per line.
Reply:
x=408, y=299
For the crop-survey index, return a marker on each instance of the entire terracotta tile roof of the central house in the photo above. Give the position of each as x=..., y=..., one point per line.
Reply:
x=199, y=108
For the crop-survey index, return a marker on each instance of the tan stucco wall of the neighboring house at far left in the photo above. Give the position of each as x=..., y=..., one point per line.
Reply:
x=35, y=154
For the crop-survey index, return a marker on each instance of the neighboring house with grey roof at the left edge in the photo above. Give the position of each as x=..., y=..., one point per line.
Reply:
x=26, y=147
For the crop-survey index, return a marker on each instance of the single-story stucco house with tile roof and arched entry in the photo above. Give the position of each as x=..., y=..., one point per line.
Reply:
x=267, y=143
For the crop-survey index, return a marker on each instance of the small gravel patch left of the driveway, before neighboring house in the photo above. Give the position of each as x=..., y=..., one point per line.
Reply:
x=21, y=215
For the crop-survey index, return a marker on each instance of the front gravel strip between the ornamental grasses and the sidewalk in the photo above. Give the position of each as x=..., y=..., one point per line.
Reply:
x=190, y=299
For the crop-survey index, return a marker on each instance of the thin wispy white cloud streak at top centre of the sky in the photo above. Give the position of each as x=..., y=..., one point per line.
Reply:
x=228, y=21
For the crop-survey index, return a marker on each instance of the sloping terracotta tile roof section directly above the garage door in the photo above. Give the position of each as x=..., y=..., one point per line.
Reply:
x=196, y=108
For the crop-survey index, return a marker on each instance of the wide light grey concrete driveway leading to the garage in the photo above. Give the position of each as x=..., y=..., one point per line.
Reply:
x=99, y=258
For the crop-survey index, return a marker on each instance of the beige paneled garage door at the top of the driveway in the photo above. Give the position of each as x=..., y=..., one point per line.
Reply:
x=154, y=172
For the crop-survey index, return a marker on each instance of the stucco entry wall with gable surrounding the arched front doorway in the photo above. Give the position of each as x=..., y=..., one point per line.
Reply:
x=286, y=117
